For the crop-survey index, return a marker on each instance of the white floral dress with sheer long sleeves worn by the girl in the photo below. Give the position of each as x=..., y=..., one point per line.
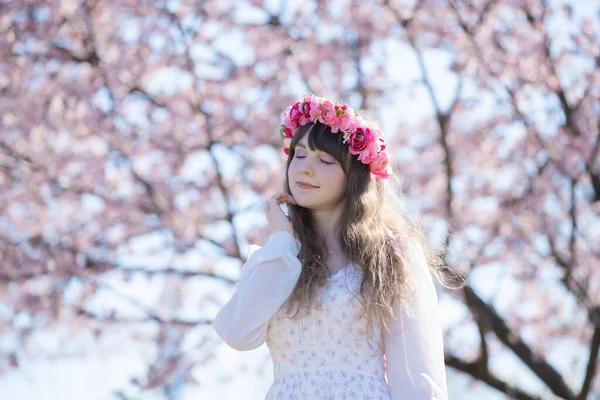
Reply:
x=325, y=355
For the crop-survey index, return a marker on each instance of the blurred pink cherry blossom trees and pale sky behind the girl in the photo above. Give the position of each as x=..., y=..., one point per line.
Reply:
x=139, y=140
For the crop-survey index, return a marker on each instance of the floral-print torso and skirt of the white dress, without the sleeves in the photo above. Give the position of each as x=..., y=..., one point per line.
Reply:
x=326, y=354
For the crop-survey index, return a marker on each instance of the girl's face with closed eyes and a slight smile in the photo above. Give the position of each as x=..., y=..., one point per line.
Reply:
x=320, y=170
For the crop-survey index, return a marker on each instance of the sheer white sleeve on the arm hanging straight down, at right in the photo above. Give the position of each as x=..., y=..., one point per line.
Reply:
x=414, y=346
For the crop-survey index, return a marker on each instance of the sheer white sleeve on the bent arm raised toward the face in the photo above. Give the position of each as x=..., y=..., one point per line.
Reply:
x=267, y=280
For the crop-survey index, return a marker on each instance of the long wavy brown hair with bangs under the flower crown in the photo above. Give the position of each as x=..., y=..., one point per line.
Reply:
x=373, y=231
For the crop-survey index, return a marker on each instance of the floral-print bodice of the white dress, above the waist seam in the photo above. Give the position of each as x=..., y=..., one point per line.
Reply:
x=331, y=337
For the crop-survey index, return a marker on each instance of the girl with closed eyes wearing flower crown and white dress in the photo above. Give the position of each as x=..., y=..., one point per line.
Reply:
x=341, y=292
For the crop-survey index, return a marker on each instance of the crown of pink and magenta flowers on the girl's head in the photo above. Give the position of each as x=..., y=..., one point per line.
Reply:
x=365, y=141
